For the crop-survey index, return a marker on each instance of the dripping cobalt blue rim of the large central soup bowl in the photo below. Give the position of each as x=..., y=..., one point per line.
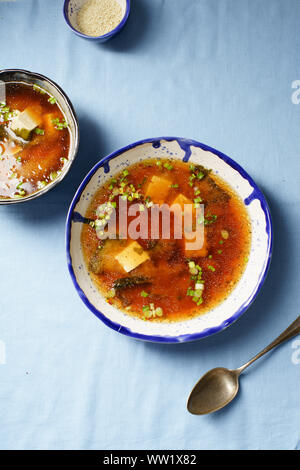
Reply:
x=185, y=144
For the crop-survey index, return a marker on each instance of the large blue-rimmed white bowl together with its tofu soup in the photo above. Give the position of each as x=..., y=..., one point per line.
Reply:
x=168, y=240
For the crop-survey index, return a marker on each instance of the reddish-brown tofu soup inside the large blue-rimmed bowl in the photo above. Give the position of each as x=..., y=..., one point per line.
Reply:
x=159, y=279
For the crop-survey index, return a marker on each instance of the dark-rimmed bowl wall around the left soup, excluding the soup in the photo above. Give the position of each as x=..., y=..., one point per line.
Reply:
x=16, y=75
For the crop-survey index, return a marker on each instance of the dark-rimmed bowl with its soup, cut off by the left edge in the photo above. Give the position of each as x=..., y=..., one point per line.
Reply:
x=38, y=135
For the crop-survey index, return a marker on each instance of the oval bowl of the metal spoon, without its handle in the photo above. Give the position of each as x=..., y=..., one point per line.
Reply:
x=215, y=389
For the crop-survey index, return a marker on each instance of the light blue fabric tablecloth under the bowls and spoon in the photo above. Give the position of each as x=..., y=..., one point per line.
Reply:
x=219, y=71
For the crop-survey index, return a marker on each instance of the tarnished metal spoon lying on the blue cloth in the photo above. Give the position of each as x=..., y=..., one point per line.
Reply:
x=219, y=386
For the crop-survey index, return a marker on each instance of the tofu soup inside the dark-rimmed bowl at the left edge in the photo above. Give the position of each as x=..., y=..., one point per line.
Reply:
x=34, y=140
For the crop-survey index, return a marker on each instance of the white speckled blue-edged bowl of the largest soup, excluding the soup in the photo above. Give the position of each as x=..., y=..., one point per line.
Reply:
x=246, y=290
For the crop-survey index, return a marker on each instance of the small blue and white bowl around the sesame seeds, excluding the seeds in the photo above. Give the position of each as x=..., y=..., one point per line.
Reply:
x=71, y=8
